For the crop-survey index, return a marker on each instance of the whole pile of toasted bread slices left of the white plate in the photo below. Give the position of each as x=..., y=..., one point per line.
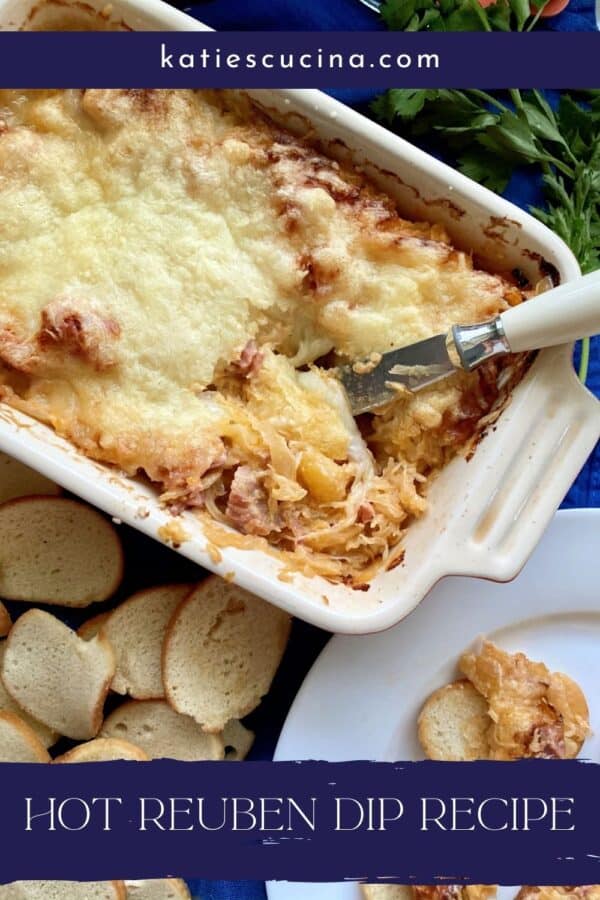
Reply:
x=168, y=672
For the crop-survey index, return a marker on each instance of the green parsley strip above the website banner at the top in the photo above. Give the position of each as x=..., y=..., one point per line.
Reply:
x=460, y=15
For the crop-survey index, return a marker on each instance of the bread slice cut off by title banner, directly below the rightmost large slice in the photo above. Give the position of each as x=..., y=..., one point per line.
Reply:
x=161, y=732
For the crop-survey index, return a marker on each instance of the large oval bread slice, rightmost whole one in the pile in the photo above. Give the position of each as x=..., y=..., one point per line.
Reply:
x=221, y=651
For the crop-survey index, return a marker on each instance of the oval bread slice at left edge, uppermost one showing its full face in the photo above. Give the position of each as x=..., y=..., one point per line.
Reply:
x=57, y=551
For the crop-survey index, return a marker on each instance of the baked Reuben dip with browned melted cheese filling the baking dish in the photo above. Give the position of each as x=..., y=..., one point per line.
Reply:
x=168, y=262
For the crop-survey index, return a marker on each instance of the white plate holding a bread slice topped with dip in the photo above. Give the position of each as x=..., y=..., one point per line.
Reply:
x=362, y=696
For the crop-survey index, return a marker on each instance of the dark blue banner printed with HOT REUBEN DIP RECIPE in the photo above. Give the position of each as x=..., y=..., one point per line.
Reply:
x=533, y=822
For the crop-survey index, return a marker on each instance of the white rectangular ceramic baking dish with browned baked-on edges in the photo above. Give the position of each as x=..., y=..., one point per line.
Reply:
x=487, y=514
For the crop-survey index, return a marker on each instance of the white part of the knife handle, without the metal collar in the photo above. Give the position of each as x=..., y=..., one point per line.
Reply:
x=558, y=316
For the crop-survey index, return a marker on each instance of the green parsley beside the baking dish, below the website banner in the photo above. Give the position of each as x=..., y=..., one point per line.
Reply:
x=492, y=135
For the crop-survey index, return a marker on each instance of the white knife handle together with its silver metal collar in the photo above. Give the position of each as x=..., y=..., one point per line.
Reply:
x=558, y=316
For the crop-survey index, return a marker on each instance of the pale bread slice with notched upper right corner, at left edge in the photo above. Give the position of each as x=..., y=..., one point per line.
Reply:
x=56, y=676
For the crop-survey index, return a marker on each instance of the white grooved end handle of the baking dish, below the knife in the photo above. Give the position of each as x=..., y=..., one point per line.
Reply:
x=524, y=485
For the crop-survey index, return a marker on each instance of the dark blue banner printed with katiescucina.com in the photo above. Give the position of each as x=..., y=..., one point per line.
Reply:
x=298, y=60
